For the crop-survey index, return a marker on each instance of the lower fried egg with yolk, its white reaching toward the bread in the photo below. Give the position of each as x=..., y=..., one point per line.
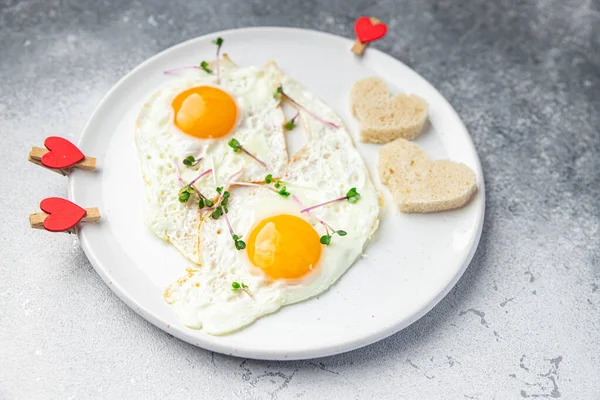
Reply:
x=284, y=261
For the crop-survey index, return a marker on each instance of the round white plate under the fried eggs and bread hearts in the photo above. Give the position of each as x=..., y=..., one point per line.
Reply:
x=411, y=263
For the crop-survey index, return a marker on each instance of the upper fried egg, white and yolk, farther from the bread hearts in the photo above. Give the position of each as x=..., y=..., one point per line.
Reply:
x=195, y=116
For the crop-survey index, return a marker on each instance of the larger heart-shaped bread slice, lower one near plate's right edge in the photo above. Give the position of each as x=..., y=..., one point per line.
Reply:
x=420, y=185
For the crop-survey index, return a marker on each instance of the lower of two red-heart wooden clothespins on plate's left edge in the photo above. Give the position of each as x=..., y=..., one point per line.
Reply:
x=61, y=215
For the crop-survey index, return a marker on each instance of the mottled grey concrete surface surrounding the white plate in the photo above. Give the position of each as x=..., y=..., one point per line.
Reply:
x=524, y=321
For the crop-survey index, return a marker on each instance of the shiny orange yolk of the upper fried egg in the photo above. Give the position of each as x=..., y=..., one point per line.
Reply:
x=205, y=112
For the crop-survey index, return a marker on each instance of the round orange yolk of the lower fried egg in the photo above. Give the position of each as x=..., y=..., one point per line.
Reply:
x=284, y=247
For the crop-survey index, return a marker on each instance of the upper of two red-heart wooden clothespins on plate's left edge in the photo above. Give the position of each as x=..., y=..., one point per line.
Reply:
x=60, y=156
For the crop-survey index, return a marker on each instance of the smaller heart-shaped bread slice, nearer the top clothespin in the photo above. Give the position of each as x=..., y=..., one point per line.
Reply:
x=383, y=118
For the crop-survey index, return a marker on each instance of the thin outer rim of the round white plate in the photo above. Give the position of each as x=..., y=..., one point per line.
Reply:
x=342, y=346
